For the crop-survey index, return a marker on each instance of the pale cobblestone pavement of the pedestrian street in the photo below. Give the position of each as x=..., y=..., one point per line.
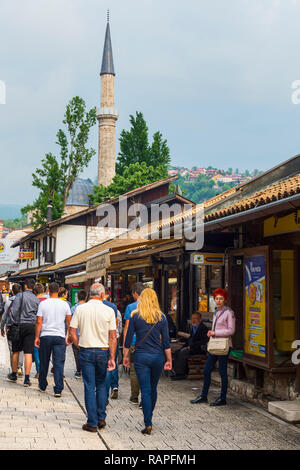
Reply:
x=32, y=420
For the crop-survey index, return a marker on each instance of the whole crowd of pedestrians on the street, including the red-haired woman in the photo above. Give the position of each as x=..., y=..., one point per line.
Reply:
x=40, y=325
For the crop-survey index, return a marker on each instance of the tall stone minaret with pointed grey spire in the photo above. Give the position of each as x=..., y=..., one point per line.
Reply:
x=107, y=115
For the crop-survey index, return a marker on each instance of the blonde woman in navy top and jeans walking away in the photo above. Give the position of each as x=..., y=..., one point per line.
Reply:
x=152, y=346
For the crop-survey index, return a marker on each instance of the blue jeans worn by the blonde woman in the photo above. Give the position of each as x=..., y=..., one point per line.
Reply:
x=148, y=369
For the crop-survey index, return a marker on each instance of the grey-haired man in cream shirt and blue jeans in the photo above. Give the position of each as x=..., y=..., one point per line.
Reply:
x=97, y=344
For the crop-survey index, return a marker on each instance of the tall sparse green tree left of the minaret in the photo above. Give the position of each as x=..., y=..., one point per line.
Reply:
x=56, y=176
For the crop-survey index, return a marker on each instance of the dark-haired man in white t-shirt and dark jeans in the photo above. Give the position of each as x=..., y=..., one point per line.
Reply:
x=50, y=337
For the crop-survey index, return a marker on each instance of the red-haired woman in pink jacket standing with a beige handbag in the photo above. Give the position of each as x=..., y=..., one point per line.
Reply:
x=223, y=327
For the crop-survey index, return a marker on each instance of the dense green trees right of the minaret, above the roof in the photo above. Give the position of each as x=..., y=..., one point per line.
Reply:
x=139, y=163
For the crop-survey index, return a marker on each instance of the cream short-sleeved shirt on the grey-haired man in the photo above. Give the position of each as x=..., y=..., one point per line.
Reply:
x=95, y=320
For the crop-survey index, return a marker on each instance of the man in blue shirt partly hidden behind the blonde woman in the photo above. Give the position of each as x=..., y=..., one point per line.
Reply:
x=137, y=289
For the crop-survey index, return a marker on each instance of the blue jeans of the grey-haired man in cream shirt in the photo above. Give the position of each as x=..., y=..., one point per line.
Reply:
x=94, y=362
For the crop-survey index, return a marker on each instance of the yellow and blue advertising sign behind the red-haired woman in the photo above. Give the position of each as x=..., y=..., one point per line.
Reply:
x=255, y=306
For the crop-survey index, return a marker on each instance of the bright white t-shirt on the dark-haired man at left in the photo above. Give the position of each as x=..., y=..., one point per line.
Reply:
x=54, y=312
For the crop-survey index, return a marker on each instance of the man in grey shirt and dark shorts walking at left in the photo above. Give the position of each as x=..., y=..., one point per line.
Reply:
x=23, y=313
